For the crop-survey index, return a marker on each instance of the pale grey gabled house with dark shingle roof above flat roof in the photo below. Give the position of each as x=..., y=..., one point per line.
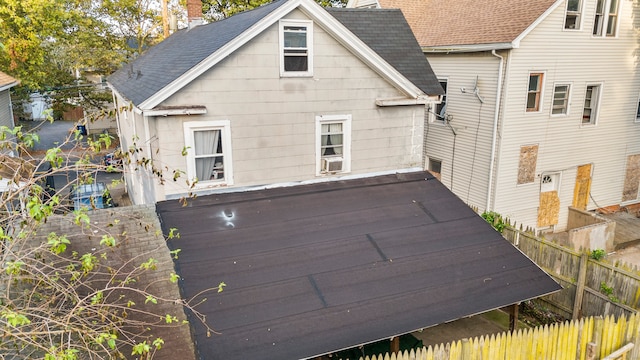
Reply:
x=288, y=92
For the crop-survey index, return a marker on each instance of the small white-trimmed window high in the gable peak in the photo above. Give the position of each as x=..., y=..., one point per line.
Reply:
x=296, y=52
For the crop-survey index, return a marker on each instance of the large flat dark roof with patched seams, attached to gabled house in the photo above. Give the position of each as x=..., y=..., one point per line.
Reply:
x=313, y=269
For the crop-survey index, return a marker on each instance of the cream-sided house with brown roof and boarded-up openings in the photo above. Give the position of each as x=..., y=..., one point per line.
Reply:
x=541, y=109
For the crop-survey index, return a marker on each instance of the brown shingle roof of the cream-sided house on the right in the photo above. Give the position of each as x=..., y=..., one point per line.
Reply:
x=468, y=22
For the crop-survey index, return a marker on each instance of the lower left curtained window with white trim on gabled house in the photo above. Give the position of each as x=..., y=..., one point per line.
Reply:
x=208, y=145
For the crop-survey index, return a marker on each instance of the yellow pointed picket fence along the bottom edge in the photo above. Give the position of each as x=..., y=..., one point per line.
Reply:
x=584, y=339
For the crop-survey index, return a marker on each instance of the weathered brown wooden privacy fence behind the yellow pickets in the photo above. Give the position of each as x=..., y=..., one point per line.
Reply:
x=590, y=287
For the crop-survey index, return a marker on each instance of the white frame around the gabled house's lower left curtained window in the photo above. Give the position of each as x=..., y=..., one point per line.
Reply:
x=225, y=127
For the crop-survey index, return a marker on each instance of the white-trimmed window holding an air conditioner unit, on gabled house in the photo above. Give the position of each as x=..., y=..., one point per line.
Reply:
x=333, y=144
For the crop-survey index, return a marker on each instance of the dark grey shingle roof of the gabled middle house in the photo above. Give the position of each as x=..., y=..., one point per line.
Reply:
x=165, y=62
